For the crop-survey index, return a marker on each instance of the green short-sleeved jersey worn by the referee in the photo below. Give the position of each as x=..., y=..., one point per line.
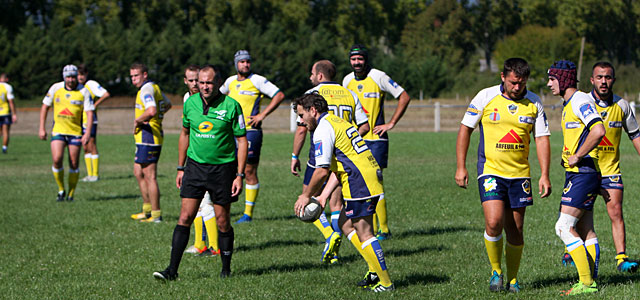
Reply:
x=213, y=128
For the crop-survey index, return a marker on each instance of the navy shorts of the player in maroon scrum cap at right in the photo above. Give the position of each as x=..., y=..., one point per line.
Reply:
x=580, y=190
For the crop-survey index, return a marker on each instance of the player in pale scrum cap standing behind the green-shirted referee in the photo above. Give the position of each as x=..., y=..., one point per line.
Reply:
x=248, y=89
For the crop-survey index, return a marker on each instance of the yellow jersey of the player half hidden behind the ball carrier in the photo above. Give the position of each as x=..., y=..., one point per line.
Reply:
x=343, y=103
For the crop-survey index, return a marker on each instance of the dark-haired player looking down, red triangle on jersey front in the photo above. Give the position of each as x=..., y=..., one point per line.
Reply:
x=508, y=115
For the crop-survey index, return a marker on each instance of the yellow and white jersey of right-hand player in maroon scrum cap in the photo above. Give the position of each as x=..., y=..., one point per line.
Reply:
x=579, y=115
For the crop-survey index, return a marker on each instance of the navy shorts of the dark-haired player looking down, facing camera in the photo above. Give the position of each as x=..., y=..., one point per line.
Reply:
x=516, y=193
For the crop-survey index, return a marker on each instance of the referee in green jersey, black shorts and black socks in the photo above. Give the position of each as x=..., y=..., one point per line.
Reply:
x=212, y=123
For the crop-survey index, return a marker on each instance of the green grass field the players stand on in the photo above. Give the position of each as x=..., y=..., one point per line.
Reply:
x=92, y=249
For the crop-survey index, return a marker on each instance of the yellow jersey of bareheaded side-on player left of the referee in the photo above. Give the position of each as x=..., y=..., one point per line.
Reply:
x=150, y=95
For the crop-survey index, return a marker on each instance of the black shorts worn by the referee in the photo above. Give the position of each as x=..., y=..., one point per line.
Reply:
x=216, y=179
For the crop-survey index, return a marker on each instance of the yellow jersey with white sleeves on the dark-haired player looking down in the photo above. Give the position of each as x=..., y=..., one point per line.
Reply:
x=506, y=127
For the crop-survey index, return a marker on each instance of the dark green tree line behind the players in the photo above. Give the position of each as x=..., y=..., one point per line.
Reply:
x=437, y=47
